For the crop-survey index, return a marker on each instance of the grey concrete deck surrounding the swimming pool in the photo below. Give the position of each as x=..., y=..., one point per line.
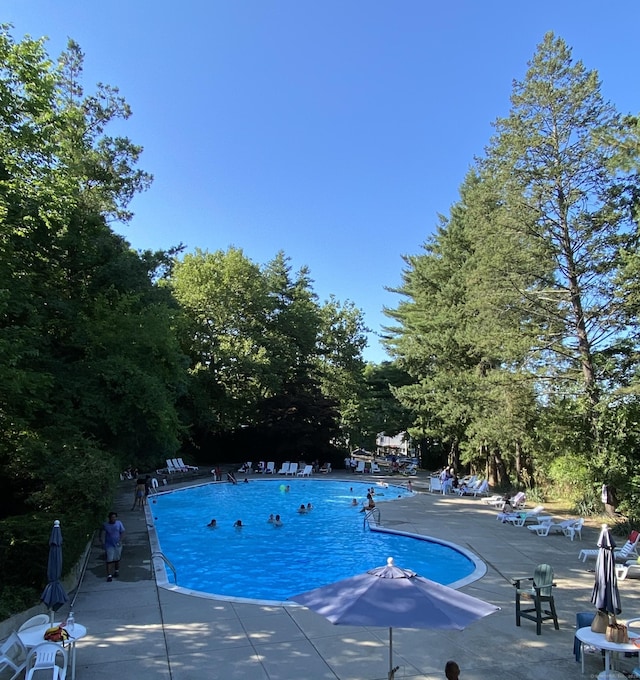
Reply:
x=138, y=630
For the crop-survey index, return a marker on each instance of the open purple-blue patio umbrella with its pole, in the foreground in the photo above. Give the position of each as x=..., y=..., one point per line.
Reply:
x=395, y=598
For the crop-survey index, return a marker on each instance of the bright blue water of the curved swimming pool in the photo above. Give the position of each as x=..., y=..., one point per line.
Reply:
x=264, y=562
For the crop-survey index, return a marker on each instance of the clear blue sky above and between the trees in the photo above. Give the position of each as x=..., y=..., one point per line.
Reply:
x=334, y=130
